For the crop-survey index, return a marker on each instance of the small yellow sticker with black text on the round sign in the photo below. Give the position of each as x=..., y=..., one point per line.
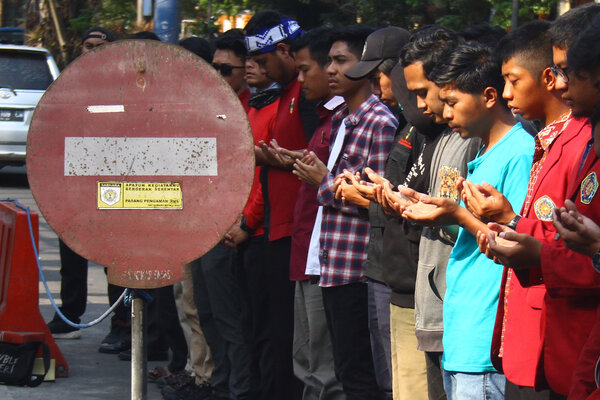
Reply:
x=139, y=195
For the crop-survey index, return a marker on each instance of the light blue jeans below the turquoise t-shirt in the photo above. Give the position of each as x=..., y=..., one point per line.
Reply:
x=474, y=386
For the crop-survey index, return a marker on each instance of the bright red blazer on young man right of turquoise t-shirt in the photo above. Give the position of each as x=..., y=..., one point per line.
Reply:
x=525, y=335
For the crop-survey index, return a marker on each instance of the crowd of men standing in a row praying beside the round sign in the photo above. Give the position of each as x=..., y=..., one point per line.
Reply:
x=422, y=222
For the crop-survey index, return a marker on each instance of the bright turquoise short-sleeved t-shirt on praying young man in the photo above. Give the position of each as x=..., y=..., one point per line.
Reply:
x=473, y=280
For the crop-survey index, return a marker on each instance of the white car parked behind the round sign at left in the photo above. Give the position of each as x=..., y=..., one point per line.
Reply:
x=26, y=73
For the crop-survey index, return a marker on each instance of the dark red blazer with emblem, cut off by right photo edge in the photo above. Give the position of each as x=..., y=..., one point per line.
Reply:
x=573, y=289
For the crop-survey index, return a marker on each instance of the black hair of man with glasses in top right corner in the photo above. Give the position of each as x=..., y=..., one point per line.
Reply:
x=564, y=29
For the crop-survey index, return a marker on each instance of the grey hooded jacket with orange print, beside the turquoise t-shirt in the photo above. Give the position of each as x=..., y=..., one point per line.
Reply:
x=449, y=162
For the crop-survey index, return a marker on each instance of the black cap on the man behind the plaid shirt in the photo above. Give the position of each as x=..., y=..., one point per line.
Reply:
x=380, y=45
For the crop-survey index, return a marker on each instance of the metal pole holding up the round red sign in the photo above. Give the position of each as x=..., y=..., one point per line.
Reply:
x=138, y=350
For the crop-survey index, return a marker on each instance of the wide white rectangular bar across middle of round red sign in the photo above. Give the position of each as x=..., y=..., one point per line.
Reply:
x=122, y=156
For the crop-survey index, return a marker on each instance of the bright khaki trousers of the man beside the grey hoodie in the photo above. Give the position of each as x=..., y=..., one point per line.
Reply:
x=409, y=373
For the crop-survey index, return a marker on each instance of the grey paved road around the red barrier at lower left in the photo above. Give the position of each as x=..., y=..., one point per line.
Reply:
x=93, y=376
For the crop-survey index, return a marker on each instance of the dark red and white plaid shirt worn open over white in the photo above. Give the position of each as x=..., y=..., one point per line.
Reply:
x=370, y=131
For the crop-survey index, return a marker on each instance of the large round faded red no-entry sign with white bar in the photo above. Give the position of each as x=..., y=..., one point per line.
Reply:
x=140, y=157
